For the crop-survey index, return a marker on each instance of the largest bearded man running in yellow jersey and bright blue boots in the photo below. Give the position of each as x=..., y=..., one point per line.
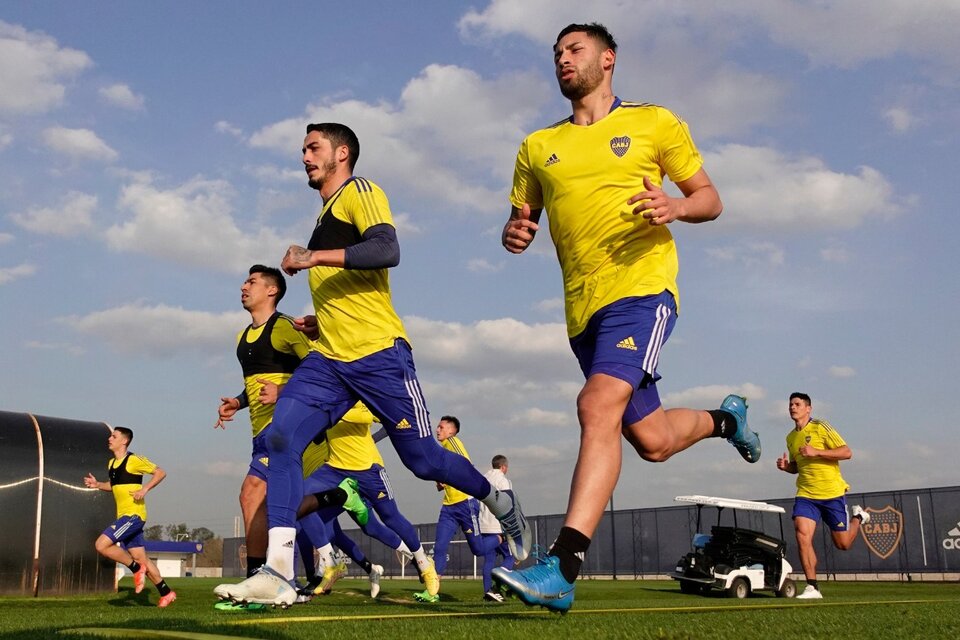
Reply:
x=598, y=174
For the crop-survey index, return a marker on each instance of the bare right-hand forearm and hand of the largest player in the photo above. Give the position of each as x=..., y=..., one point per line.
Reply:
x=700, y=201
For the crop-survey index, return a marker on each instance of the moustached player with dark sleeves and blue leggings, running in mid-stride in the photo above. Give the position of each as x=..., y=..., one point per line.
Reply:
x=360, y=353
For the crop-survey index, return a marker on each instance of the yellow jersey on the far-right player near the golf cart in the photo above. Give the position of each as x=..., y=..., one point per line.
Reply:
x=817, y=479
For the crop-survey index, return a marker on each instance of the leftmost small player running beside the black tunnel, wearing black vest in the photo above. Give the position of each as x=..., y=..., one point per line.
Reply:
x=123, y=541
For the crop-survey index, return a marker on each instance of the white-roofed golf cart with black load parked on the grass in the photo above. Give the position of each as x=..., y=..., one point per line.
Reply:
x=734, y=560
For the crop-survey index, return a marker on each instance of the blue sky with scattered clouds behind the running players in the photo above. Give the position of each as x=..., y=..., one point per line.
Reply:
x=150, y=153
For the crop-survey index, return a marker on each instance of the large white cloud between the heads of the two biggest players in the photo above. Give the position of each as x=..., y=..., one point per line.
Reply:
x=451, y=135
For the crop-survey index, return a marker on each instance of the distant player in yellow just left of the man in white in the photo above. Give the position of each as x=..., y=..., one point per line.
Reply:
x=459, y=511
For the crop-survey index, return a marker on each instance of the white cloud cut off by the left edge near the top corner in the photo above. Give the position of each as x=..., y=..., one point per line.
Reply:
x=34, y=70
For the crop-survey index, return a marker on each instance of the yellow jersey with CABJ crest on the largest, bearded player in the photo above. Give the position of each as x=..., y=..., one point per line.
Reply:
x=583, y=176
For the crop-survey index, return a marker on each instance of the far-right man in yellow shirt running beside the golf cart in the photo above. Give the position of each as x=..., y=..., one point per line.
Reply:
x=815, y=451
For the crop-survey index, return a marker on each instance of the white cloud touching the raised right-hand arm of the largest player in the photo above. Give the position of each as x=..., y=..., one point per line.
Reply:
x=764, y=188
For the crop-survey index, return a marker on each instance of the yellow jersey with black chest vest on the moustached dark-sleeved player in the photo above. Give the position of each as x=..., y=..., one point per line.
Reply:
x=354, y=309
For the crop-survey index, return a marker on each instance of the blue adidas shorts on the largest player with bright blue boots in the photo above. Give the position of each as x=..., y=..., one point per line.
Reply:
x=623, y=340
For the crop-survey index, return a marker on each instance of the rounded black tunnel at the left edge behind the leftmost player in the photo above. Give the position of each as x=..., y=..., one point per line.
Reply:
x=48, y=519
